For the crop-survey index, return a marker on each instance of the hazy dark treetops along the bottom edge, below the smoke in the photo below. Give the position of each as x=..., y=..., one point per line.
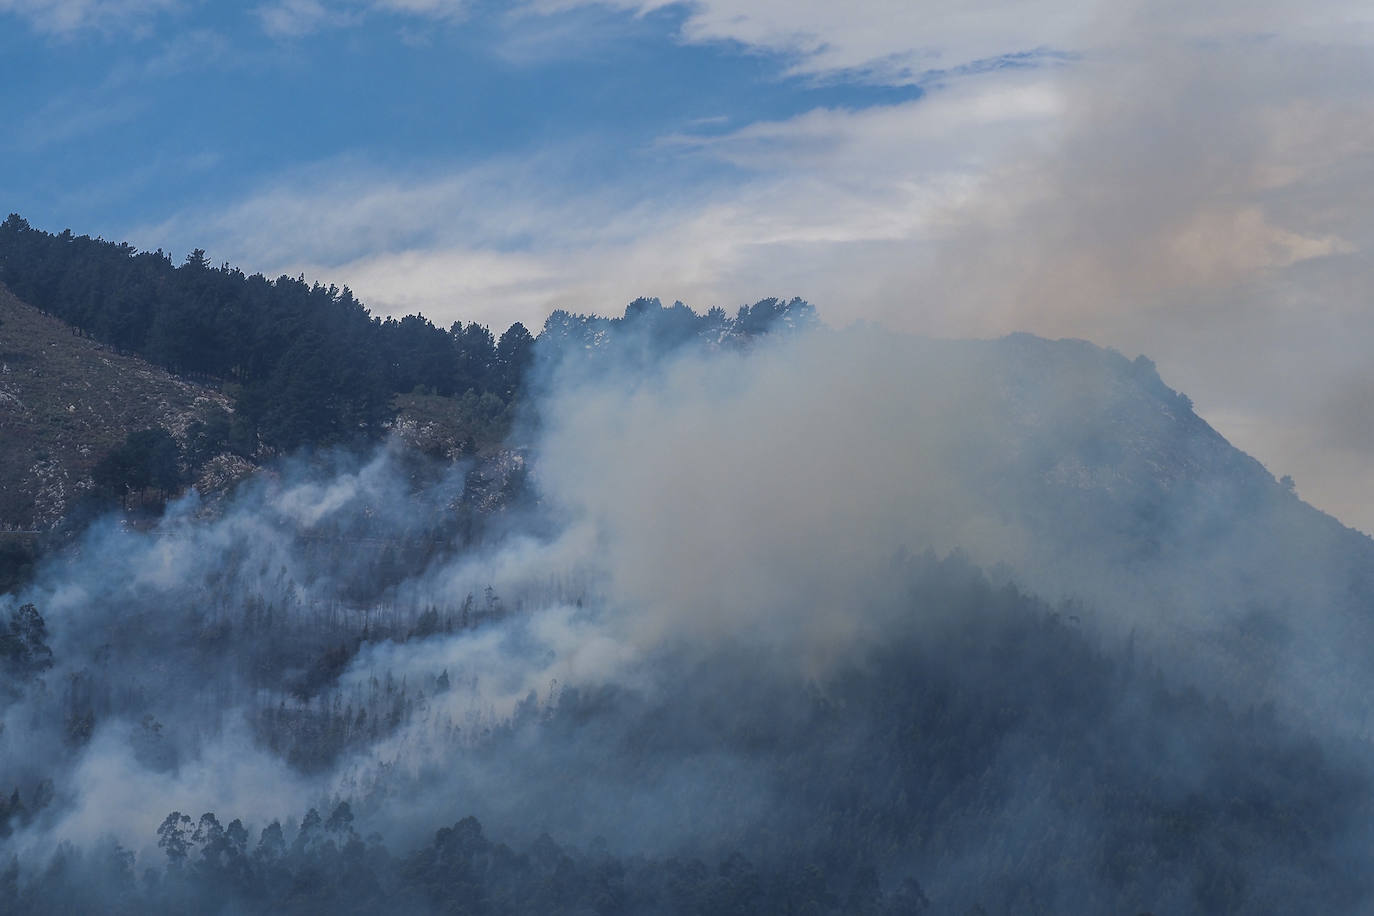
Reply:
x=326, y=866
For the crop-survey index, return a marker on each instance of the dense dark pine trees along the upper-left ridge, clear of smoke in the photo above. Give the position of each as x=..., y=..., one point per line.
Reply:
x=310, y=365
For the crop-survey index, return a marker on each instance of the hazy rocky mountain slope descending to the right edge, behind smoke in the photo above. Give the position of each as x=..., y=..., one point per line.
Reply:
x=1133, y=502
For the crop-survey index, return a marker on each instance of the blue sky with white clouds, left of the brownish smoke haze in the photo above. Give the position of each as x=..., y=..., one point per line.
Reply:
x=480, y=160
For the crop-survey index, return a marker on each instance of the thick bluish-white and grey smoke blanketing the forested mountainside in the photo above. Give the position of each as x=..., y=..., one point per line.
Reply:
x=725, y=528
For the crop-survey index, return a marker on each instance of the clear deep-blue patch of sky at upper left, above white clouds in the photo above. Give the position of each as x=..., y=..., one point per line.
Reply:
x=120, y=124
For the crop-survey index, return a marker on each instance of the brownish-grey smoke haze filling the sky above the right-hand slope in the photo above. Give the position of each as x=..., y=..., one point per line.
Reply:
x=1200, y=193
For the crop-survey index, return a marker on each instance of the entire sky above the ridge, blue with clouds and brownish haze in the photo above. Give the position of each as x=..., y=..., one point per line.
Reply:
x=1191, y=182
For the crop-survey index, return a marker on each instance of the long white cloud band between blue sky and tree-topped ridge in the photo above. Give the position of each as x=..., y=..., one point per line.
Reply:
x=515, y=238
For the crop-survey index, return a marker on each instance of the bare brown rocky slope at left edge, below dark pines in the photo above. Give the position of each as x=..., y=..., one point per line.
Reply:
x=65, y=403
